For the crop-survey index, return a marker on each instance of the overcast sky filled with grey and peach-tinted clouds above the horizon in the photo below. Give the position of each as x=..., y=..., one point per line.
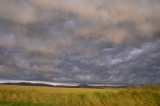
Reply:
x=80, y=41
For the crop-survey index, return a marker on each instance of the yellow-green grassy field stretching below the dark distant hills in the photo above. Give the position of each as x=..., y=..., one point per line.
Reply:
x=12, y=95
